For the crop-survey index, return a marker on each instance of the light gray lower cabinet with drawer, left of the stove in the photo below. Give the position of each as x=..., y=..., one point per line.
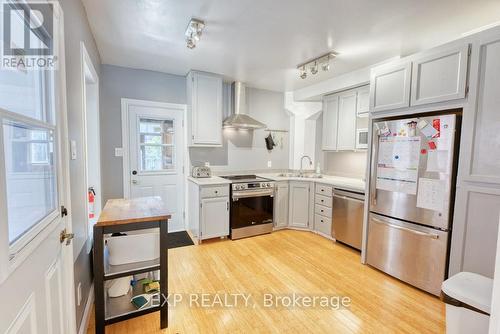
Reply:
x=208, y=211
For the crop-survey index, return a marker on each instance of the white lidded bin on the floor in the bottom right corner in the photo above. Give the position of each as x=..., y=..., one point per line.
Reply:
x=468, y=302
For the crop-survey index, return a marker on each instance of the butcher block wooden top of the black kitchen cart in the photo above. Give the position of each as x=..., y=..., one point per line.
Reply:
x=126, y=211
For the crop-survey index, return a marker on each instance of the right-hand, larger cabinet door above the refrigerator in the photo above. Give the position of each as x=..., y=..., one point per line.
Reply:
x=439, y=75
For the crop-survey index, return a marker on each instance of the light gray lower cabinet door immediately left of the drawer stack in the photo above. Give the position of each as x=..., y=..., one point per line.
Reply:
x=299, y=204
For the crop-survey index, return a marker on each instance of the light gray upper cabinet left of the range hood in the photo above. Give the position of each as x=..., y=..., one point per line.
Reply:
x=204, y=96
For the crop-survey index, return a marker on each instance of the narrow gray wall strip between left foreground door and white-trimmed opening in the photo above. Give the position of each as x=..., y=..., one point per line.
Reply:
x=76, y=29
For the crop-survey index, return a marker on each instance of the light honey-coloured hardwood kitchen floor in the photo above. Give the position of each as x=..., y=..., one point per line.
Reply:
x=282, y=263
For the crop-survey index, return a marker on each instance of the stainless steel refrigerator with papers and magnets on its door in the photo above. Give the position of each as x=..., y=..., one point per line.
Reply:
x=411, y=198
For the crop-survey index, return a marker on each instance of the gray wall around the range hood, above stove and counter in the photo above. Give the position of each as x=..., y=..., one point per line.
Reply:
x=246, y=150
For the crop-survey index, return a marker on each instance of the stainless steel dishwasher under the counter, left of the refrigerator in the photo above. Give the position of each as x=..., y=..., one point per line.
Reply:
x=347, y=217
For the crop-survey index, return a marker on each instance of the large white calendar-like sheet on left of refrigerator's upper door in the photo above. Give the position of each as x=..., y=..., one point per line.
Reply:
x=398, y=161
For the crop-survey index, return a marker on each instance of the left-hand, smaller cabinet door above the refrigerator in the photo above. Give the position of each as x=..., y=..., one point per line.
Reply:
x=390, y=86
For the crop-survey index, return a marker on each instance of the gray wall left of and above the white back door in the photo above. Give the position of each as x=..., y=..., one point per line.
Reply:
x=117, y=83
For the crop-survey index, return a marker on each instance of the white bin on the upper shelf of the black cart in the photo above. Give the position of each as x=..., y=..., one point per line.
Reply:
x=137, y=246
